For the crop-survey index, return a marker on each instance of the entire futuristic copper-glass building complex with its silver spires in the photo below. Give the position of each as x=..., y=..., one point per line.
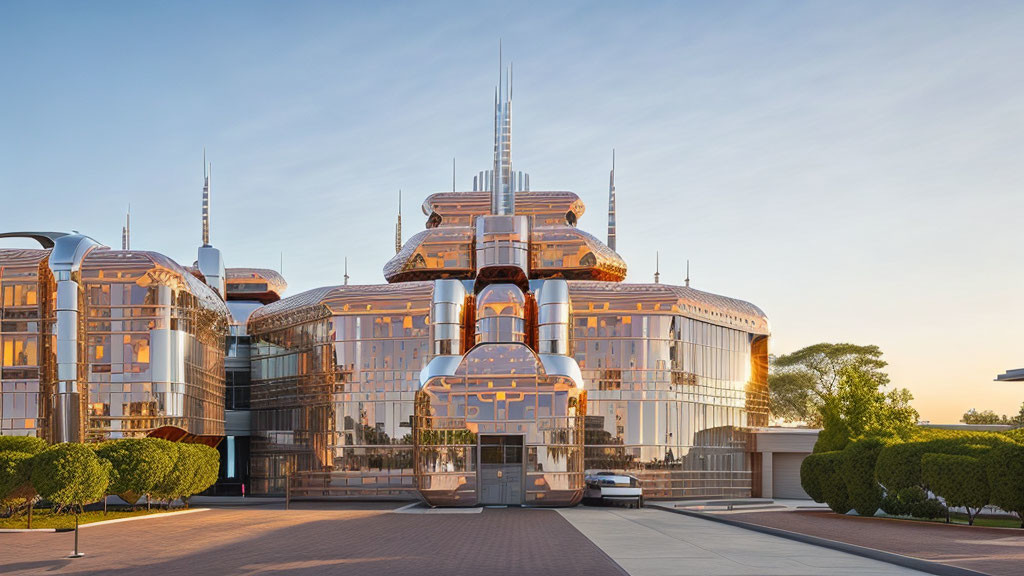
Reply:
x=503, y=358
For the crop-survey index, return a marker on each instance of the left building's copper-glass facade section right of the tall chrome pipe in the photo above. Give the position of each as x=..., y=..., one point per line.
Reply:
x=155, y=347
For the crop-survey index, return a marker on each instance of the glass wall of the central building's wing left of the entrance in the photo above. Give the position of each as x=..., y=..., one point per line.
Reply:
x=335, y=375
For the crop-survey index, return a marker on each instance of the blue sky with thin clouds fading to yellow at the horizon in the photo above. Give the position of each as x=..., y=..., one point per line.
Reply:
x=855, y=170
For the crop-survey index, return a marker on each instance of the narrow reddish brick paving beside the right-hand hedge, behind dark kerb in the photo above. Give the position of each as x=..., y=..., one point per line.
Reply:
x=992, y=551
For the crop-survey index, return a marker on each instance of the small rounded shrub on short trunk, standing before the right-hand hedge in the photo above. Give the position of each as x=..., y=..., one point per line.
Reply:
x=961, y=481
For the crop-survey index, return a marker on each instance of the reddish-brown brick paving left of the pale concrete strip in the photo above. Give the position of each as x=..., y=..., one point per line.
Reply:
x=329, y=539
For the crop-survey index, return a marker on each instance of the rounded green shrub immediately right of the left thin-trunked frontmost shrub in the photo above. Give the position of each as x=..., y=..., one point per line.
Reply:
x=138, y=466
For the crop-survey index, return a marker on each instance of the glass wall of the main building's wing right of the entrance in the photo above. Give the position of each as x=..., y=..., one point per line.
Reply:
x=669, y=395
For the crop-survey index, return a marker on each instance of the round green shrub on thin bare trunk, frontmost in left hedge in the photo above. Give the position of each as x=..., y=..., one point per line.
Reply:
x=70, y=475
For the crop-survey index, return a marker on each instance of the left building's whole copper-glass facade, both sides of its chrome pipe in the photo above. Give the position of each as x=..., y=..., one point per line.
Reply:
x=150, y=344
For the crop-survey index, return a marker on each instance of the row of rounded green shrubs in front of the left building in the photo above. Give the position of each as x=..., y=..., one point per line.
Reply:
x=75, y=475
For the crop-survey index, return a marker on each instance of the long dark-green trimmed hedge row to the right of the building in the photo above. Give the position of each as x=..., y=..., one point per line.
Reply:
x=964, y=469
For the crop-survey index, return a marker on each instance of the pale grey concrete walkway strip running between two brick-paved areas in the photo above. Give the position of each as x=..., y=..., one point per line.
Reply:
x=651, y=543
